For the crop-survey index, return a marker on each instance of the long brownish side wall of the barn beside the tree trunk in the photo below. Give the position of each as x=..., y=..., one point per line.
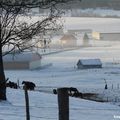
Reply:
x=16, y=65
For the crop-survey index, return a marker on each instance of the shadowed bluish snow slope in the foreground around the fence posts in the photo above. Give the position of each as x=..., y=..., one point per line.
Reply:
x=44, y=107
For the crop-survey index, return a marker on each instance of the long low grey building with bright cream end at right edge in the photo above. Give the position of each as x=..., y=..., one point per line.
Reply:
x=110, y=36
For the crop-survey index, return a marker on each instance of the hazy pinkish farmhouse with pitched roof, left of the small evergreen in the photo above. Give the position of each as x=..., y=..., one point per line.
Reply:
x=68, y=40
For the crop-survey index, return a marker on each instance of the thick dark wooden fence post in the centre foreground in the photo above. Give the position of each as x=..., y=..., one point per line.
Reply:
x=63, y=103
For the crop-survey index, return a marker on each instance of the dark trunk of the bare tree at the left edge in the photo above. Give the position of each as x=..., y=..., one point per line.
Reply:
x=2, y=78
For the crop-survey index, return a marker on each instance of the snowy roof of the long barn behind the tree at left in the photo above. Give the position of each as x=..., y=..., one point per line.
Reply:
x=22, y=57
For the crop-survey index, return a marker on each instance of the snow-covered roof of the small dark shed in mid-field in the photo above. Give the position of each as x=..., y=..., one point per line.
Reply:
x=90, y=61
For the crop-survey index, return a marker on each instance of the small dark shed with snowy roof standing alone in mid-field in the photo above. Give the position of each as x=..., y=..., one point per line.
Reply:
x=89, y=63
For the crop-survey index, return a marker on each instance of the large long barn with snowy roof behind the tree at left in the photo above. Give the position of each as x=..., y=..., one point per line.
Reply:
x=19, y=61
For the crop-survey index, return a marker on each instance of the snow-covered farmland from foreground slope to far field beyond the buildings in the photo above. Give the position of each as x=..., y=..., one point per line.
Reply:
x=63, y=73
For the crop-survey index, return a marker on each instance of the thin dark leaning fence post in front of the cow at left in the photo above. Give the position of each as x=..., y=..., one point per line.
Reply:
x=27, y=103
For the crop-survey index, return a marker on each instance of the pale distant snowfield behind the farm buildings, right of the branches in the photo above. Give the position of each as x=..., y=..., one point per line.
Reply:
x=96, y=24
